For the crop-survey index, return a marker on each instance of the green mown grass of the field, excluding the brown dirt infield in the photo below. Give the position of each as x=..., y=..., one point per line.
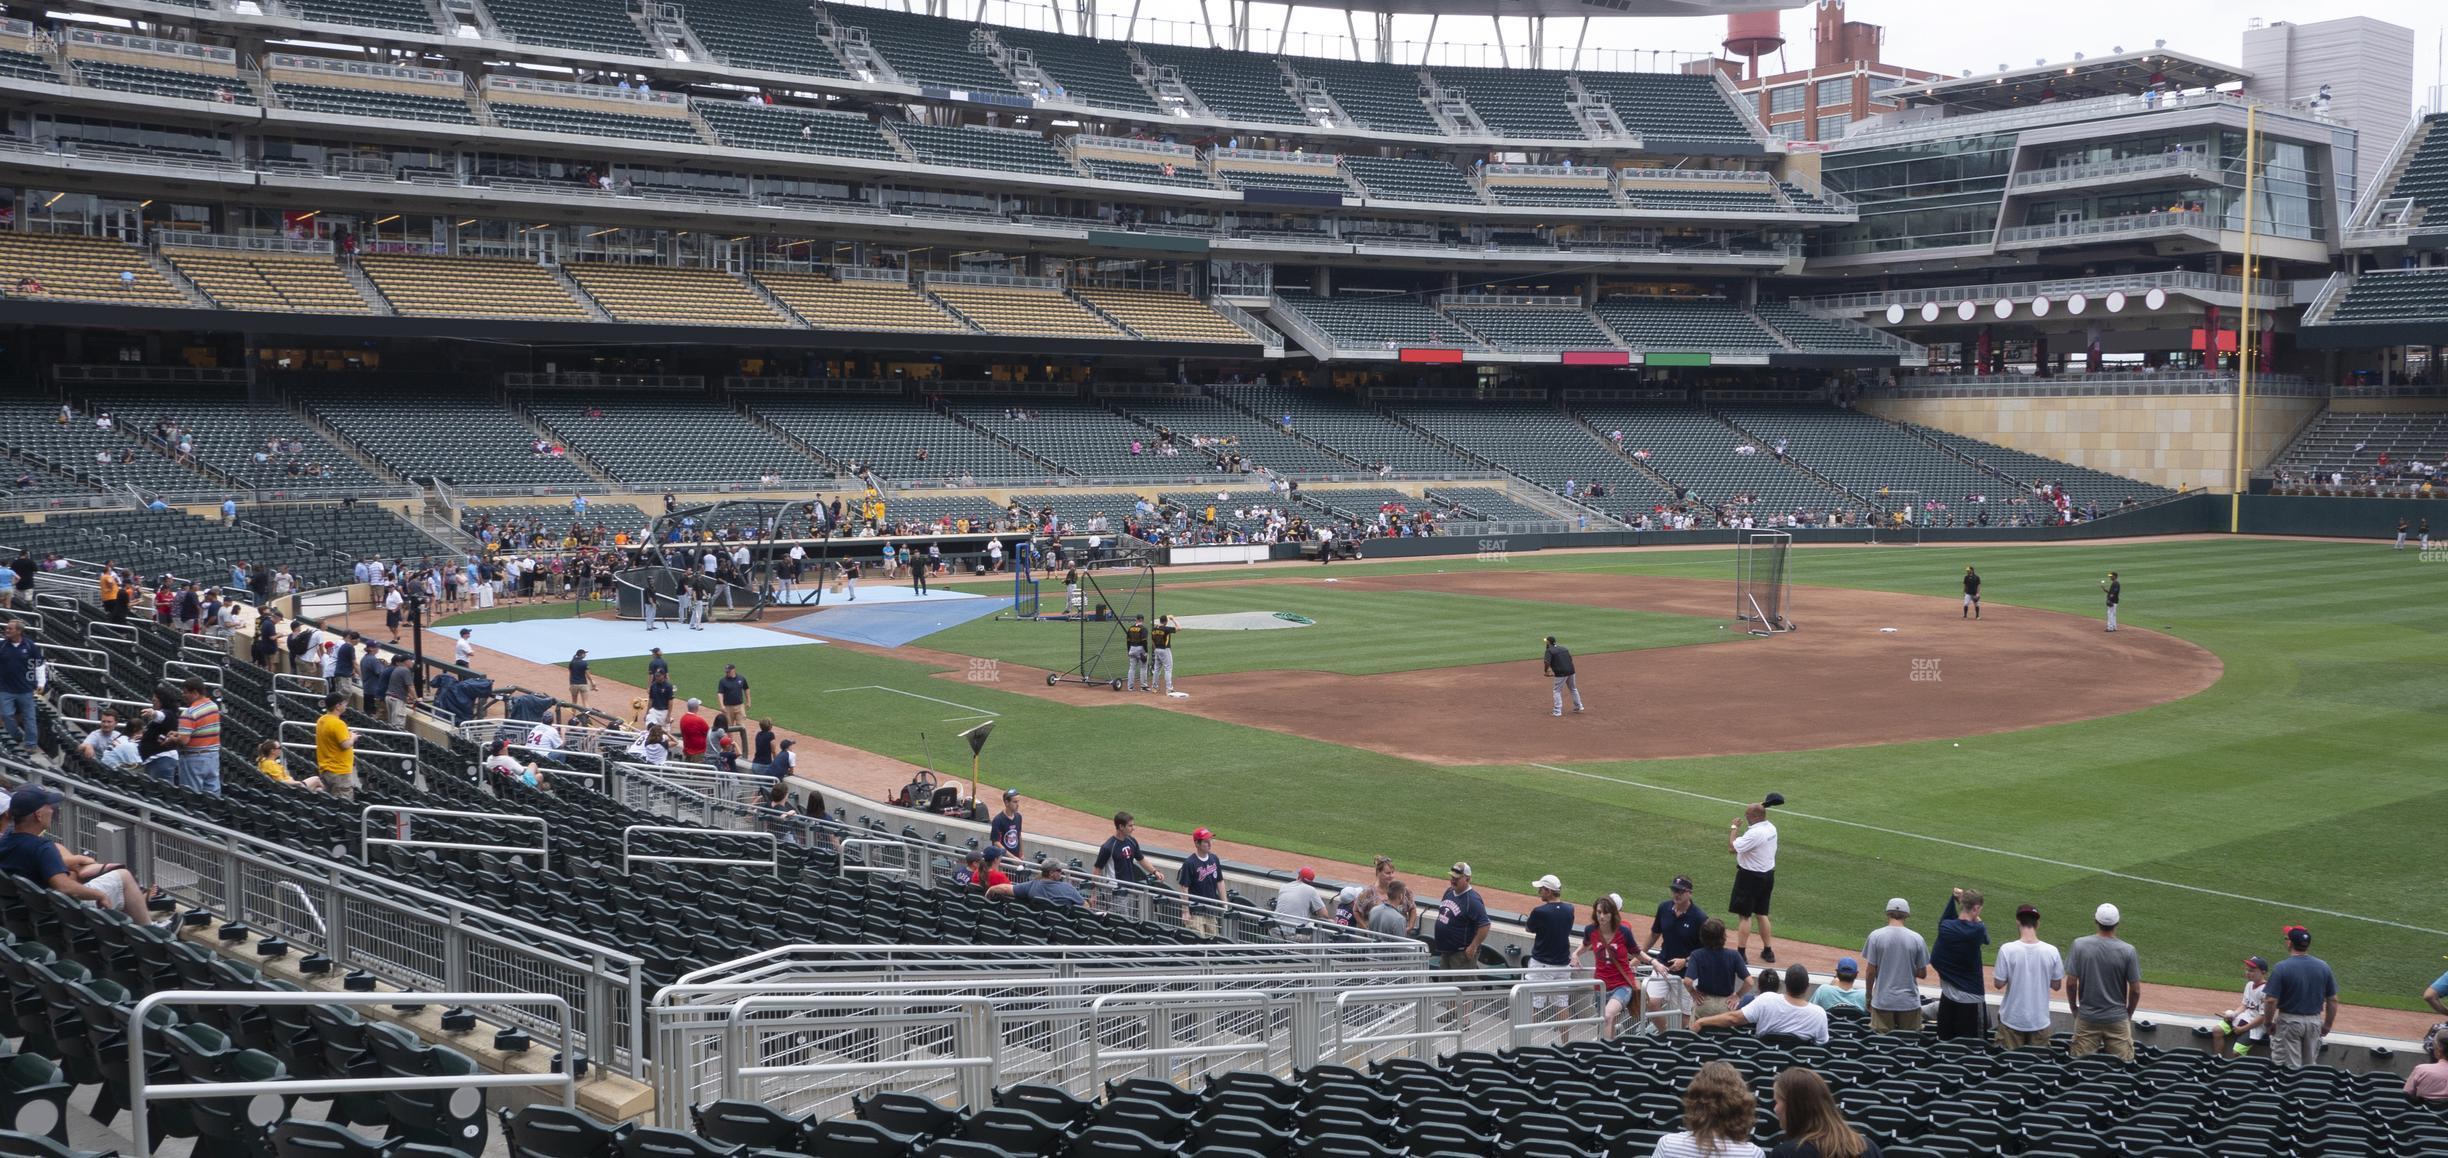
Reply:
x=2297, y=785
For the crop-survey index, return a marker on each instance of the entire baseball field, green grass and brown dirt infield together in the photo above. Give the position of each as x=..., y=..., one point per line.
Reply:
x=2256, y=748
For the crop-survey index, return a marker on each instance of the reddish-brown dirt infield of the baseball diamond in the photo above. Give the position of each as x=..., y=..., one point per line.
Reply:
x=1842, y=684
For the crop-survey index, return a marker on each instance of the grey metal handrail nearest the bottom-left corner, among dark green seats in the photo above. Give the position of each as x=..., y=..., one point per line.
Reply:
x=143, y=1096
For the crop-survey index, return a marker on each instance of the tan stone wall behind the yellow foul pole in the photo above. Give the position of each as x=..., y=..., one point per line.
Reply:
x=2170, y=439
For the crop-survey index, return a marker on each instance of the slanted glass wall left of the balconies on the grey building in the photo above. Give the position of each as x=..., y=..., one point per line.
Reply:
x=1918, y=197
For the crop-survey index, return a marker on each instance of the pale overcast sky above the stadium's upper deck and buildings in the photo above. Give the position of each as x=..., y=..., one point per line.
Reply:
x=1920, y=33
